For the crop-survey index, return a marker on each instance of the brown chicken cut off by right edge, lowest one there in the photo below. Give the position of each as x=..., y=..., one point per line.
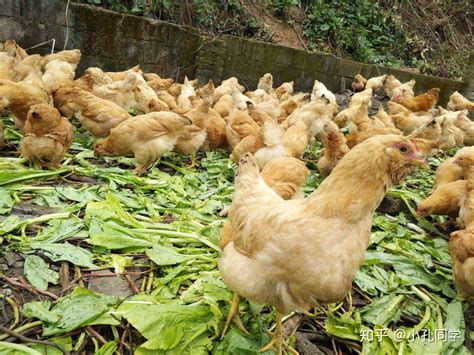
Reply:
x=461, y=248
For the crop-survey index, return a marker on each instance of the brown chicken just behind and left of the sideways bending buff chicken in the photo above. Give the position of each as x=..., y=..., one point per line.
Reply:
x=96, y=115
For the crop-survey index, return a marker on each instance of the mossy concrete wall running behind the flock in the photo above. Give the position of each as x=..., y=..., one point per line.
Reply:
x=116, y=42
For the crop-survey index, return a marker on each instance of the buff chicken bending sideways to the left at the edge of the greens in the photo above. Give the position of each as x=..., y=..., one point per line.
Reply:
x=147, y=136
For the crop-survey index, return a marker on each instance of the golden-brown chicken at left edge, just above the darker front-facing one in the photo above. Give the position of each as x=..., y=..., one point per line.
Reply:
x=19, y=97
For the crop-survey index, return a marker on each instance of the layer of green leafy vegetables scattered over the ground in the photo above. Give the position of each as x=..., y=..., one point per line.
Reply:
x=160, y=232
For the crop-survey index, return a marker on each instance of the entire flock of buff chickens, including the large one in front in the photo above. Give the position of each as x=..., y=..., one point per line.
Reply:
x=267, y=132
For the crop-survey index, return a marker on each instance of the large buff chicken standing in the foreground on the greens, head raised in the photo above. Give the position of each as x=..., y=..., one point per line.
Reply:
x=298, y=253
